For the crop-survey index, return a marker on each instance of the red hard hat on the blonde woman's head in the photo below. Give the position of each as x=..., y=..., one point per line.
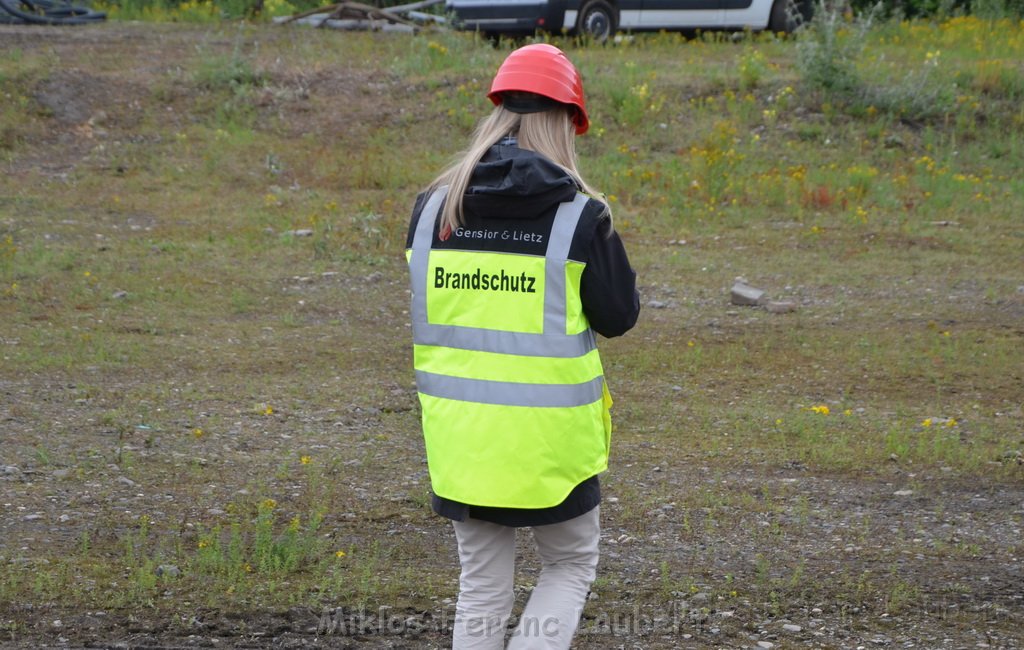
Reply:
x=543, y=70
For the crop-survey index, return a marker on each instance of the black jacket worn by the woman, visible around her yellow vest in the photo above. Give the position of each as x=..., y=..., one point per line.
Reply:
x=522, y=189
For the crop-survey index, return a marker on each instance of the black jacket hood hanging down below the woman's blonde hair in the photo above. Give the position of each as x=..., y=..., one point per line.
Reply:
x=514, y=184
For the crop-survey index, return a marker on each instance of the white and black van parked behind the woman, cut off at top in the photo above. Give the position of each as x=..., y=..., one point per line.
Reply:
x=602, y=19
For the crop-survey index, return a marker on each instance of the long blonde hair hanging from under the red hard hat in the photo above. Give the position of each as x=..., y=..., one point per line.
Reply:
x=550, y=134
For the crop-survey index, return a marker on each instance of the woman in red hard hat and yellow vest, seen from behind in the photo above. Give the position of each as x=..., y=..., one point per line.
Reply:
x=510, y=282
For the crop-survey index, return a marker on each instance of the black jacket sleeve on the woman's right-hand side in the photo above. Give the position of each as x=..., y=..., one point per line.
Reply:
x=608, y=288
